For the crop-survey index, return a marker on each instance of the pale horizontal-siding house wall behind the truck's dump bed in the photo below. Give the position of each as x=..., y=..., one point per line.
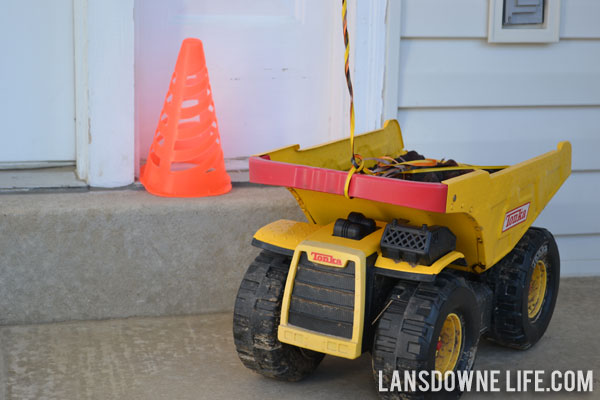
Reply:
x=461, y=97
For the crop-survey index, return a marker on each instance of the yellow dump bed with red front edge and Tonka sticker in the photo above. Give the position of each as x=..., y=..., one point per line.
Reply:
x=488, y=212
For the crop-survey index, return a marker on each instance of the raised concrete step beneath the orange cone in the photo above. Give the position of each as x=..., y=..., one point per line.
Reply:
x=114, y=254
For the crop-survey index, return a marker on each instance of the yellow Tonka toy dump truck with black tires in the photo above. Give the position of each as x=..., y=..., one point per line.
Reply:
x=413, y=272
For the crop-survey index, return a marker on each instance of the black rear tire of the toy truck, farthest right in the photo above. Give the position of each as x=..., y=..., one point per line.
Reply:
x=510, y=279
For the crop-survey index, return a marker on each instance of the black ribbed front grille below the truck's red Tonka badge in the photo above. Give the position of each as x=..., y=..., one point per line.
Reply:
x=323, y=298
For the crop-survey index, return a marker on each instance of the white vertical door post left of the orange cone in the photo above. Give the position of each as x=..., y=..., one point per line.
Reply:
x=104, y=91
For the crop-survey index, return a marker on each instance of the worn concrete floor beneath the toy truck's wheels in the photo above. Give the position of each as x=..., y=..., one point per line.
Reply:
x=193, y=357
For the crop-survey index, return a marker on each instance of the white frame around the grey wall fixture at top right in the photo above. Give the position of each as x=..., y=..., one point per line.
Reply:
x=548, y=32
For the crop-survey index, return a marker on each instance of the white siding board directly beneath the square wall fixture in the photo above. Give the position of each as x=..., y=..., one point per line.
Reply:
x=474, y=73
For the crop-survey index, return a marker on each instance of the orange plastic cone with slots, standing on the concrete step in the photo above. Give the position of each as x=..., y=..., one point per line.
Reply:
x=186, y=158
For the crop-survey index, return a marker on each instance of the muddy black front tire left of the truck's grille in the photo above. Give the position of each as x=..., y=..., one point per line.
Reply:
x=256, y=320
